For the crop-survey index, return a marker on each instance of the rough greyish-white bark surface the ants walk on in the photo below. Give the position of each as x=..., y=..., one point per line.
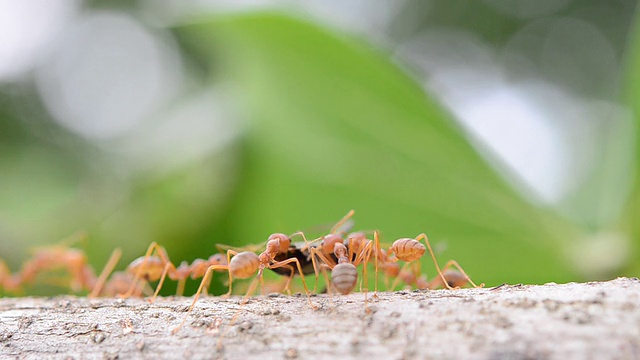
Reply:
x=594, y=320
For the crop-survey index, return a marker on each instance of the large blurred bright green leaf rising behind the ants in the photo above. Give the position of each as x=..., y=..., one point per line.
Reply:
x=337, y=126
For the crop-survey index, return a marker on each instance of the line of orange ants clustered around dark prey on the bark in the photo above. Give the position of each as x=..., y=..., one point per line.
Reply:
x=335, y=256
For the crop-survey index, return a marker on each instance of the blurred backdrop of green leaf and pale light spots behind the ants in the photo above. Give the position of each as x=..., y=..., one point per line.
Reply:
x=505, y=130
